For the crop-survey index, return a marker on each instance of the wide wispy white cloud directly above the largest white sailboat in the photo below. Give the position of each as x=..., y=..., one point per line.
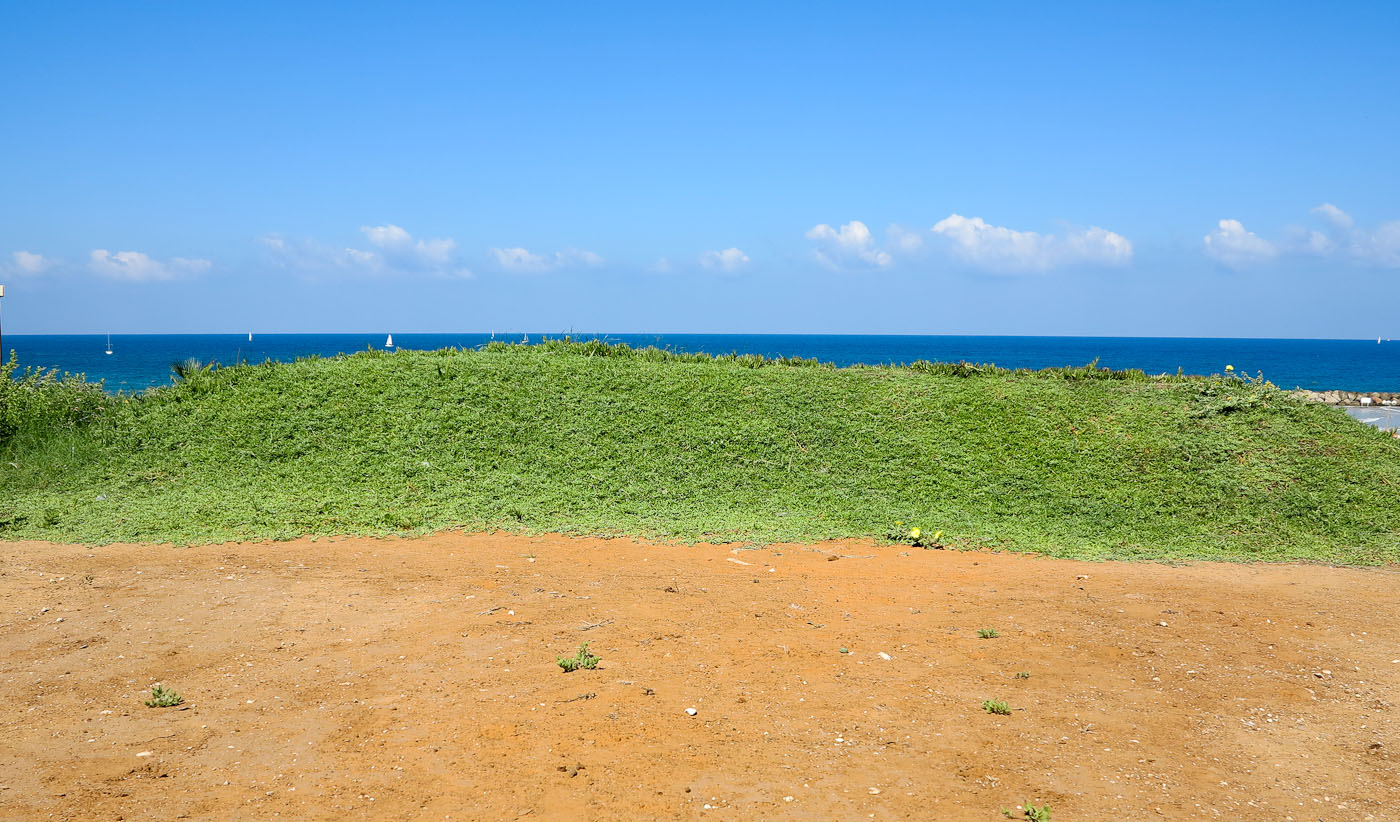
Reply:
x=395, y=253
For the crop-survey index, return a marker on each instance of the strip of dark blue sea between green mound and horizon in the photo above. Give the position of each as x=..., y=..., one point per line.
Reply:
x=139, y=362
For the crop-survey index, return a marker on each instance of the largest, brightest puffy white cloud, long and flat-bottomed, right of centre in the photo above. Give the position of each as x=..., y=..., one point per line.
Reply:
x=1000, y=249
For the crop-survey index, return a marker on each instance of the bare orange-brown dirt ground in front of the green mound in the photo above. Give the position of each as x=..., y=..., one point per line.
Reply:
x=418, y=680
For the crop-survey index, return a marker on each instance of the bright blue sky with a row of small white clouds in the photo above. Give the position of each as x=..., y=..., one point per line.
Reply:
x=1118, y=169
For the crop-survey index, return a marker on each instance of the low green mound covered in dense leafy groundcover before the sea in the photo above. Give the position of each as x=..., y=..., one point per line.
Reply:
x=607, y=440
